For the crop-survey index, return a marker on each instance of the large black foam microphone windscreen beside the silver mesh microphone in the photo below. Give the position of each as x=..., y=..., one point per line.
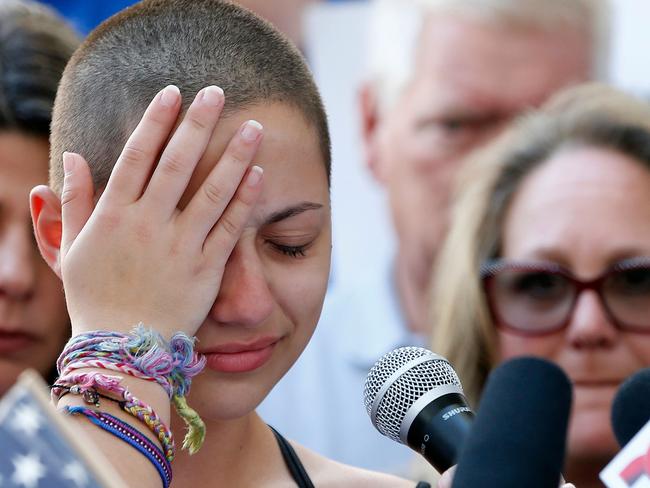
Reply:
x=519, y=434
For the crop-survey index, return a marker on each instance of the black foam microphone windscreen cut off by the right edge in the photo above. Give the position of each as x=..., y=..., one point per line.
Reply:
x=631, y=407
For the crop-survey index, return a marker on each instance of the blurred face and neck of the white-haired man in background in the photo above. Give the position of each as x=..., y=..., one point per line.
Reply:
x=473, y=66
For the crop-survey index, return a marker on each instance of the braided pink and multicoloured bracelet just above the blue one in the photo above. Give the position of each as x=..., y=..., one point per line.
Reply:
x=87, y=384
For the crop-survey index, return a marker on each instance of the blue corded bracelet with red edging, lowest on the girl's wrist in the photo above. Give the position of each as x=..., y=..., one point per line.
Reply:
x=131, y=436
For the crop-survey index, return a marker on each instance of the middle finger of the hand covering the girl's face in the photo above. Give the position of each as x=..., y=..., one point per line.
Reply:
x=184, y=150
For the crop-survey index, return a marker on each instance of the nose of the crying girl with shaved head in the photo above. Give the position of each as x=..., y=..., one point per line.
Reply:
x=244, y=298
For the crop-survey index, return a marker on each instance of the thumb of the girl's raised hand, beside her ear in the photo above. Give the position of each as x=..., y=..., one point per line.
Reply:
x=76, y=198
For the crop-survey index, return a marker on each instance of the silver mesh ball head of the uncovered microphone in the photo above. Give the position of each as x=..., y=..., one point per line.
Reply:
x=405, y=389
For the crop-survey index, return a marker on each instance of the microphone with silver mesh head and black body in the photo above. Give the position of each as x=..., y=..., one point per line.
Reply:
x=414, y=397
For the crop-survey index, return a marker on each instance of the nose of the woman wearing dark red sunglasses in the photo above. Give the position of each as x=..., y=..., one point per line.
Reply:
x=590, y=328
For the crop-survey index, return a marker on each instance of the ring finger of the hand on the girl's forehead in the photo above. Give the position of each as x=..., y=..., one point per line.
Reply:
x=216, y=192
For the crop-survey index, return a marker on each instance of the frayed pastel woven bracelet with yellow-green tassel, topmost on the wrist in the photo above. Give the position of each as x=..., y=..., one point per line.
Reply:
x=146, y=355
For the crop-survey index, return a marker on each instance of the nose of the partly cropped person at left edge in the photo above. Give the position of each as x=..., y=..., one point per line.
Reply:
x=17, y=262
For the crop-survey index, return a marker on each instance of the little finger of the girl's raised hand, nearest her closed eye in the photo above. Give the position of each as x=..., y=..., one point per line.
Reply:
x=224, y=236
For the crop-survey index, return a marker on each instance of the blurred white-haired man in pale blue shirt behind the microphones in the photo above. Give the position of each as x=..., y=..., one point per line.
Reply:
x=445, y=77
